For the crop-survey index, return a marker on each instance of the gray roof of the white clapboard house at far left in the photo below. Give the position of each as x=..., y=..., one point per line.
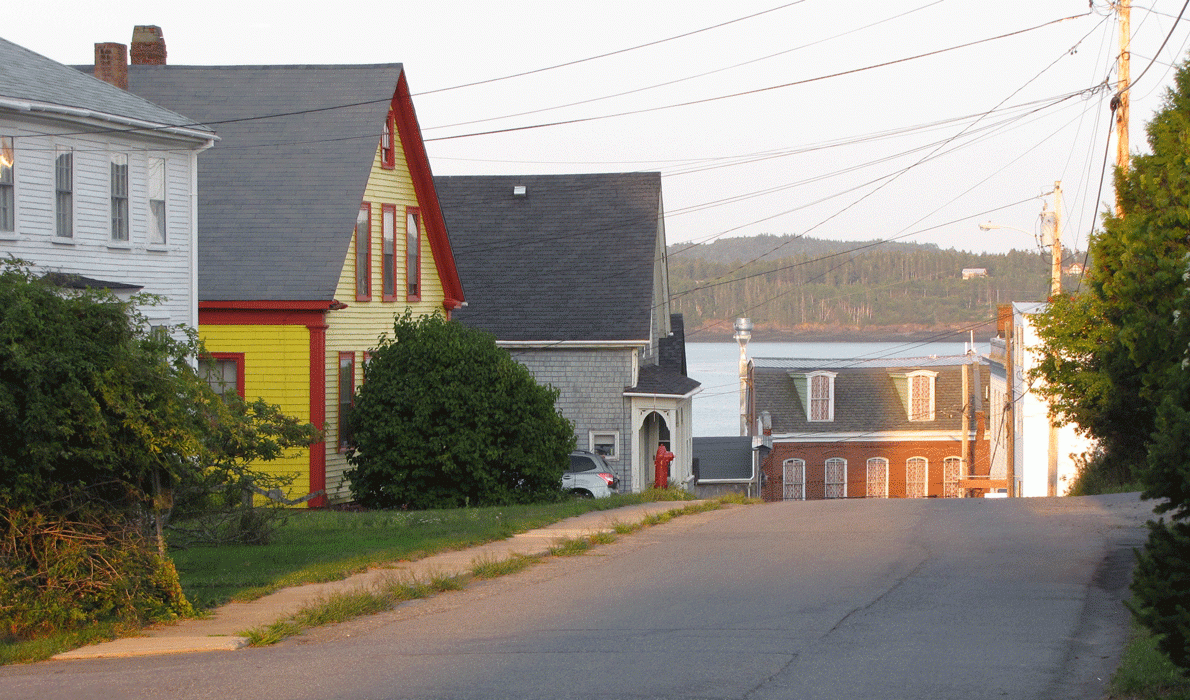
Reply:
x=29, y=77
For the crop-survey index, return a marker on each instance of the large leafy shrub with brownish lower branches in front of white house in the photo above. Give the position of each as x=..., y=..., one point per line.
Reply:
x=102, y=420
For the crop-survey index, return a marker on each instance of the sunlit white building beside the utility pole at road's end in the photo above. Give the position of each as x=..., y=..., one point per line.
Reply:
x=1045, y=457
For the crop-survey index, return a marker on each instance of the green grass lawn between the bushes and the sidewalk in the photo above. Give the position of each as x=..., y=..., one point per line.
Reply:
x=328, y=546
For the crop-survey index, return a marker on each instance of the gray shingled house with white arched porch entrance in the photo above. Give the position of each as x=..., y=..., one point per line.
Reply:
x=569, y=274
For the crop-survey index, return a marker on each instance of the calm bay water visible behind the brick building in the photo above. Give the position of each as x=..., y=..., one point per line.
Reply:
x=717, y=408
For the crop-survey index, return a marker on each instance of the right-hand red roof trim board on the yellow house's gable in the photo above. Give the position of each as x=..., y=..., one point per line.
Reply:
x=418, y=161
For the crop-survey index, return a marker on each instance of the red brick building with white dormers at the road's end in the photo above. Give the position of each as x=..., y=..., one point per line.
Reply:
x=886, y=428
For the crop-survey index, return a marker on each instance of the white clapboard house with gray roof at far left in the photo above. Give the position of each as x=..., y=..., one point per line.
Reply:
x=98, y=186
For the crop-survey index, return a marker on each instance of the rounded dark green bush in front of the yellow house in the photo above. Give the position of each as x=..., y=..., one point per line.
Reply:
x=446, y=418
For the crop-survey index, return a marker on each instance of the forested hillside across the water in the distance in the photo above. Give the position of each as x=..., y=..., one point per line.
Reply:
x=792, y=283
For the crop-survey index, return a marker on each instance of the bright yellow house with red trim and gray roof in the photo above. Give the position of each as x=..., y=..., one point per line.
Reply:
x=318, y=223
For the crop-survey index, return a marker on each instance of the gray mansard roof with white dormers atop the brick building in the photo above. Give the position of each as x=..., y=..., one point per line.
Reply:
x=866, y=398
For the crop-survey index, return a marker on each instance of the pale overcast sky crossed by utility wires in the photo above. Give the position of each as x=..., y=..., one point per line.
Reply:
x=843, y=120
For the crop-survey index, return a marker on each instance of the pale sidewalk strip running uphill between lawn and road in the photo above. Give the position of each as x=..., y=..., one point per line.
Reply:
x=222, y=632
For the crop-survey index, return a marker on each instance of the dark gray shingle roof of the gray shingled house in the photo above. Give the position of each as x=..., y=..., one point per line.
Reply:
x=572, y=260
